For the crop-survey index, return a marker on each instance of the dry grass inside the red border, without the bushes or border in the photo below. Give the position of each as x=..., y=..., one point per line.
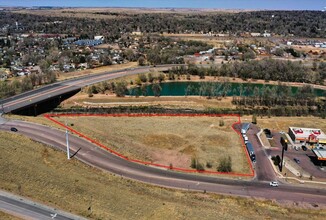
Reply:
x=167, y=140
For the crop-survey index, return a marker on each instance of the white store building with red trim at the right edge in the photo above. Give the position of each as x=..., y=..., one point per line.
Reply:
x=307, y=135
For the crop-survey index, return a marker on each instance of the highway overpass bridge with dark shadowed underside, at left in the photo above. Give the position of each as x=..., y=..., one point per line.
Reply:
x=50, y=96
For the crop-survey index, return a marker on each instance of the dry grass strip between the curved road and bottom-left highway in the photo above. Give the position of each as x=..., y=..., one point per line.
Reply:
x=33, y=170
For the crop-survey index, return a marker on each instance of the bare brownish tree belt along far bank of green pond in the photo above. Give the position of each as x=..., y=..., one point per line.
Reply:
x=266, y=69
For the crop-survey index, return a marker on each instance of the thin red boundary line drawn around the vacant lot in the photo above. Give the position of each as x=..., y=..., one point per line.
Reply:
x=251, y=174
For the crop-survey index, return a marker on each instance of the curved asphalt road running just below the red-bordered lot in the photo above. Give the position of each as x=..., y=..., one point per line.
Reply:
x=97, y=157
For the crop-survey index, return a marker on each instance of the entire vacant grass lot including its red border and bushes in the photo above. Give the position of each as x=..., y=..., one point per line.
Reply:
x=202, y=143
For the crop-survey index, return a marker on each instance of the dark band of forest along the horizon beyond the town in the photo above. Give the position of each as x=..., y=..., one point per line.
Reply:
x=298, y=23
